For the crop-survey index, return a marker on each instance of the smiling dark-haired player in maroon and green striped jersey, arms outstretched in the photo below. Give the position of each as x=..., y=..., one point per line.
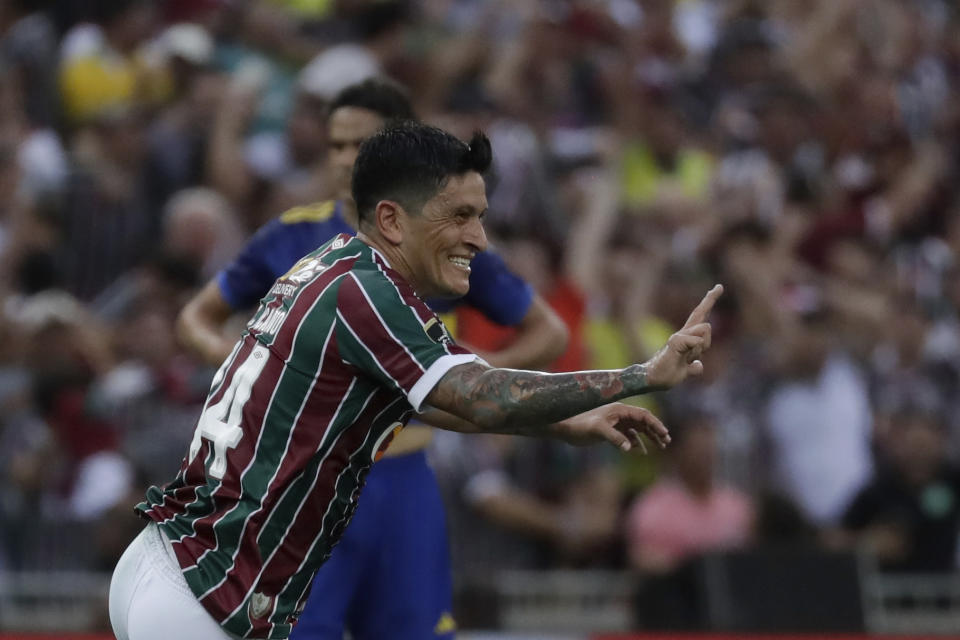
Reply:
x=338, y=357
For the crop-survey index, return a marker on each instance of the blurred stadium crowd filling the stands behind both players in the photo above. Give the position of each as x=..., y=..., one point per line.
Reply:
x=804, y=154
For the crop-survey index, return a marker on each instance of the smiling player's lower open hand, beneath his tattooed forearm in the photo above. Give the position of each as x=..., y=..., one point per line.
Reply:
x=617, y=423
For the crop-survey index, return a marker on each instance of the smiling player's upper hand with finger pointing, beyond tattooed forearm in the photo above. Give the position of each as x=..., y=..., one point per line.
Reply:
x=680, y=357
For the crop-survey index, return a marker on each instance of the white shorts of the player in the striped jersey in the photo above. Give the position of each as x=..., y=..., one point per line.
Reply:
x=150, y=599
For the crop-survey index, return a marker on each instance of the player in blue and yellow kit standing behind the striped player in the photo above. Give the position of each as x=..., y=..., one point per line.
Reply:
x=389, y=577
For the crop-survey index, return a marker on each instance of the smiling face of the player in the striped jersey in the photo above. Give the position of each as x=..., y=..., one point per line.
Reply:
x=439, y=243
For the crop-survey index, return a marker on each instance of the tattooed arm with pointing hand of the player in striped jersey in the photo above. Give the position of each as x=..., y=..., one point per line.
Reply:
x=527, y=402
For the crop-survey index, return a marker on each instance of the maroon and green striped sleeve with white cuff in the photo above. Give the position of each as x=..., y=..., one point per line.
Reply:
x=391, y=335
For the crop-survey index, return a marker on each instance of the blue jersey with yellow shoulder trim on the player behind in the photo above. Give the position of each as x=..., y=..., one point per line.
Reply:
x=495, y=291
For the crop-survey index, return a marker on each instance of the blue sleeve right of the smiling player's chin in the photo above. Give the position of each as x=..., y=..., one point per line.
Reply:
x=495, y=291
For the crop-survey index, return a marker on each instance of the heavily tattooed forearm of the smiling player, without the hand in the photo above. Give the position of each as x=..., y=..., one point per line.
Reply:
x=524, y=402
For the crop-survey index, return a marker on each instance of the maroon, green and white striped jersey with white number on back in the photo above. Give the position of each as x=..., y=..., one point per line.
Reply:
x=338, y=356
